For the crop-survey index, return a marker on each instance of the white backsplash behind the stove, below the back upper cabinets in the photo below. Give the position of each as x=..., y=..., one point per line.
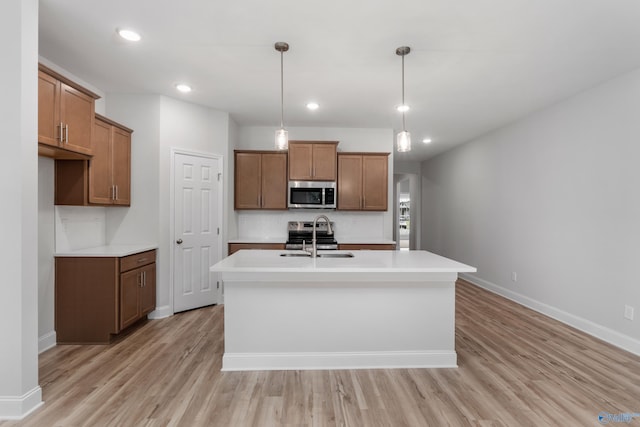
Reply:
x=273, y=224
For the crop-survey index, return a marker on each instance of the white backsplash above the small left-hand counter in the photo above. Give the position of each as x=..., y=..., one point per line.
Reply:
x=79, y=227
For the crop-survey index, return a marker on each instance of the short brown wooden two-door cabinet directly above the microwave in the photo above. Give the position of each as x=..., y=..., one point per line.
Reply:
x=312, y=161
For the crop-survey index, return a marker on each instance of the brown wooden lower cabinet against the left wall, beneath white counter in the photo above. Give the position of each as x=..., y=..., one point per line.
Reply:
x=98, y=297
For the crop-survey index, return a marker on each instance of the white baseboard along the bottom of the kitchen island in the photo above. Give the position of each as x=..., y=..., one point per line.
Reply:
x=336, y=360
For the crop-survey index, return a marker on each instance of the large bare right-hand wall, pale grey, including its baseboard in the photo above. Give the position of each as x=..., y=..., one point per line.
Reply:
x=555, y=199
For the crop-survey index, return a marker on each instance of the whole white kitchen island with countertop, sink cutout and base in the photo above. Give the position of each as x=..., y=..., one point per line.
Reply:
x=378, y=309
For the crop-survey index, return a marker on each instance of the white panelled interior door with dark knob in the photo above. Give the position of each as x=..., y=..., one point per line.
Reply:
x=197, y=222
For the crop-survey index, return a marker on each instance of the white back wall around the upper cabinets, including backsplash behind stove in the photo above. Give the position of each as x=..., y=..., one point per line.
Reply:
x=349, y=225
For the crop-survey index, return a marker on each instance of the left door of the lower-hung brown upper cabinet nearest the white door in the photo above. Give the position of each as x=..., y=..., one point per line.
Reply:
x=100, y=186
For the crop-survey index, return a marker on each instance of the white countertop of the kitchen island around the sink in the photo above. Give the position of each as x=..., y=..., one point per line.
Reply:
x=270, y=261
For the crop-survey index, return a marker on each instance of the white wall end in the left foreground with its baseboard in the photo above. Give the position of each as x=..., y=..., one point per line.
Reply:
x=19, y=390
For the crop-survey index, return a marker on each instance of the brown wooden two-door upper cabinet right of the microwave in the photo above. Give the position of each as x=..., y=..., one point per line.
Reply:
x=363, y=181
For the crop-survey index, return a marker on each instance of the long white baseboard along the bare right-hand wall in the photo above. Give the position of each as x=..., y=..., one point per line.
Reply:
x=608, y=335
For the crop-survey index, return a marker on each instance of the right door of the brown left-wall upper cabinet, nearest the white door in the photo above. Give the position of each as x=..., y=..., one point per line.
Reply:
x=121, y=166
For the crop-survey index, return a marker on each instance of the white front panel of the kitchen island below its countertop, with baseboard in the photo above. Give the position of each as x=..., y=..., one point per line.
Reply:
x=339, y=324
